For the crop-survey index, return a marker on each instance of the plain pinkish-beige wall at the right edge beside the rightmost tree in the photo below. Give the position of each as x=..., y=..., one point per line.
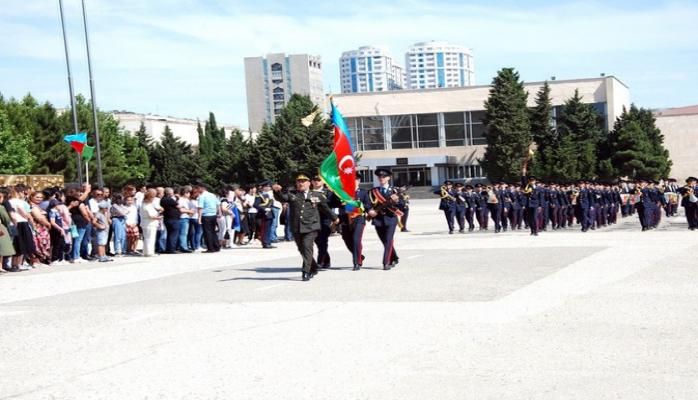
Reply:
x=681, y=139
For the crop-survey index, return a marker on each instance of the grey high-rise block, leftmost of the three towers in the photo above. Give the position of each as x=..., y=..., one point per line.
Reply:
x=271, y=80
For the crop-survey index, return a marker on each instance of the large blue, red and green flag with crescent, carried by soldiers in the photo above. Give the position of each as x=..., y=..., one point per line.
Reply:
x=338, y=170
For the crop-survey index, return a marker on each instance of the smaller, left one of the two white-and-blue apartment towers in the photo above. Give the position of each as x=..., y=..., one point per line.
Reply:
x=370, y=69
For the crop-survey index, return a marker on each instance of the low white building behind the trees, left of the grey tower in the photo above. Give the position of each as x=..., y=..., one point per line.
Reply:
x=183, y=128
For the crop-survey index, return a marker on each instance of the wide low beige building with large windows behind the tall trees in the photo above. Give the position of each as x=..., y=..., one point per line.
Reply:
x=427, y=136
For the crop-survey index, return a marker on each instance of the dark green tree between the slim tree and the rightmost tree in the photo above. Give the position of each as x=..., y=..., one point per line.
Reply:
x=584, y=127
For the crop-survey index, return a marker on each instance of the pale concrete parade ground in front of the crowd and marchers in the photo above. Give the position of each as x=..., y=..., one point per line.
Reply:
x=610, y=314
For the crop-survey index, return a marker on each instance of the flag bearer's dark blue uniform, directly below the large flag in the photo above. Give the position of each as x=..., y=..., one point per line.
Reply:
x=352, y=227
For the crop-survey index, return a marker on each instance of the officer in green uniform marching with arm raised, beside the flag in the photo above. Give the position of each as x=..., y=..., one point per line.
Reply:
x=305, y=208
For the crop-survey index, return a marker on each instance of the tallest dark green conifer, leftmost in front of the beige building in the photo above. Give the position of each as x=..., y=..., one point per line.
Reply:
x=507, y=126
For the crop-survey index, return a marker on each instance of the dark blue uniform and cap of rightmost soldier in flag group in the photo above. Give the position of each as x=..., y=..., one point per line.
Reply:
x=387, y=218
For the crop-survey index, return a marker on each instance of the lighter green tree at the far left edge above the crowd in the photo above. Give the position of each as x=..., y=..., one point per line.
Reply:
x=16, y=156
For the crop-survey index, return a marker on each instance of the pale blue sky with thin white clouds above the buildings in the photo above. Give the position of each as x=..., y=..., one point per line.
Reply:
x=184, y=58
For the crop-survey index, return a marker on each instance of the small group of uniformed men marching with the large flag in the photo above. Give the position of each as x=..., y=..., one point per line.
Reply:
x=313, y=220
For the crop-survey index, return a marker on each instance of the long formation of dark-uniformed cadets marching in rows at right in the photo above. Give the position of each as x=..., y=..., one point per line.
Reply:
x=541, y=206
